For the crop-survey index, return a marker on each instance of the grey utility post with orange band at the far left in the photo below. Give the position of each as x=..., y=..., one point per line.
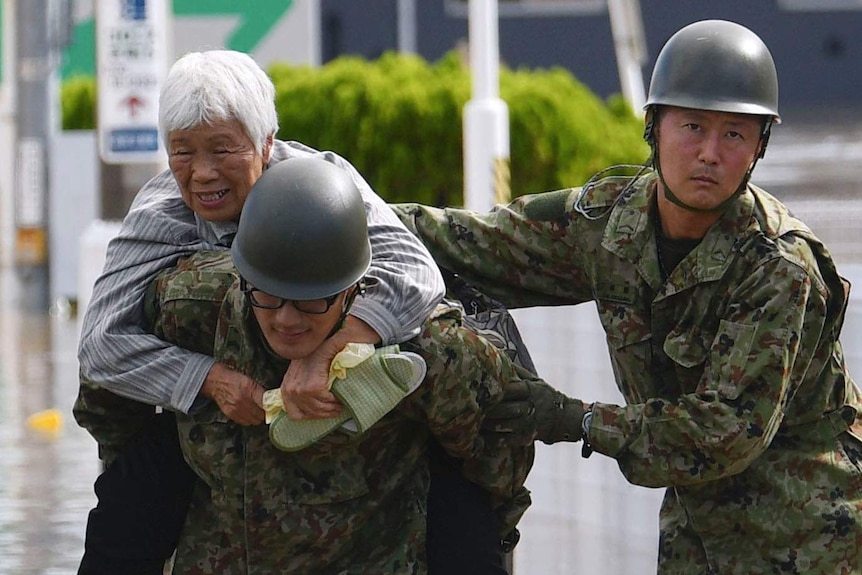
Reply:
x=33, y=116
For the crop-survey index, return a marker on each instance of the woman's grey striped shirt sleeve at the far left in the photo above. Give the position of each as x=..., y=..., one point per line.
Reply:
x=115, y=351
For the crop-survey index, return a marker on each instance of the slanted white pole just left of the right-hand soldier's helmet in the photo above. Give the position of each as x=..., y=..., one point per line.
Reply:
x=630, y=47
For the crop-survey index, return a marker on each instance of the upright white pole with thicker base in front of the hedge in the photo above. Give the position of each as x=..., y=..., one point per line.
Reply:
x=486, y=116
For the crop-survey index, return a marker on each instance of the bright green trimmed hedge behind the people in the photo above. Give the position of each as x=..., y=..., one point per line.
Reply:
x=398, y=119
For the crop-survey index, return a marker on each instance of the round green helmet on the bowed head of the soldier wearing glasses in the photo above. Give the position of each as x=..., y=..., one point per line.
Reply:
x=303, y=232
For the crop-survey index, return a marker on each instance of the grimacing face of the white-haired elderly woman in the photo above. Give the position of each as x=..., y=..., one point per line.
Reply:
x=215, y=166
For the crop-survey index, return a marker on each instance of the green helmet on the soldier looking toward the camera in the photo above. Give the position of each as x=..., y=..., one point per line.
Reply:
x=715, y=65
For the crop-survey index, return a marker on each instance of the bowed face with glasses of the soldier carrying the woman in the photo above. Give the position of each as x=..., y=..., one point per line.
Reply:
x=293, y=334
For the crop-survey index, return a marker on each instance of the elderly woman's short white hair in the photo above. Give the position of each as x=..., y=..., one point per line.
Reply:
x=214, y=85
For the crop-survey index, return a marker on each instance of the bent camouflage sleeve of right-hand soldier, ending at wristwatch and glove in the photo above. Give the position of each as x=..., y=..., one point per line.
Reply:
x=752, y=369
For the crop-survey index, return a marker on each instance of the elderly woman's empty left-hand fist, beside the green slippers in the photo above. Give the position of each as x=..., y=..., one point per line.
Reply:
x=238, y=396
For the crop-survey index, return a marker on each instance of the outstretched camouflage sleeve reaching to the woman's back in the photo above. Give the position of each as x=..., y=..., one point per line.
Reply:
x=522, y=254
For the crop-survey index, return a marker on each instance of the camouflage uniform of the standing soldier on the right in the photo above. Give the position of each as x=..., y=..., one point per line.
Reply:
x=738, y=397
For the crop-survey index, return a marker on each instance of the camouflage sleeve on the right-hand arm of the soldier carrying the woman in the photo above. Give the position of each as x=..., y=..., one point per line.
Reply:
x=465, y=375
